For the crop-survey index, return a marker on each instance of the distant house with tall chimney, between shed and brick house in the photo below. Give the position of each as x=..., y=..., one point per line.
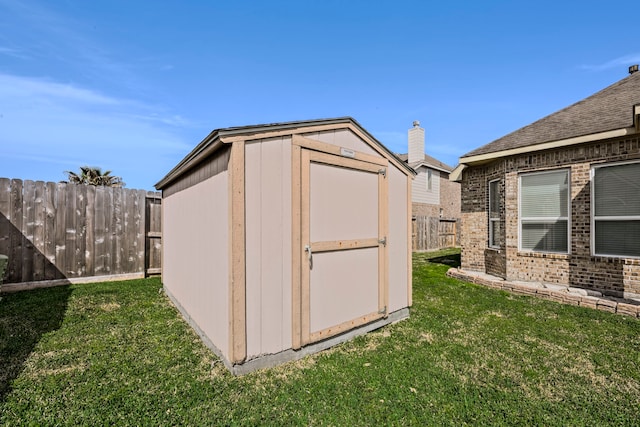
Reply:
x=432, y=193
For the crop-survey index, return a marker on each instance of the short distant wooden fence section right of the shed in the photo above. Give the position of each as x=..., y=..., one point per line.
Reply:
x=431, y=233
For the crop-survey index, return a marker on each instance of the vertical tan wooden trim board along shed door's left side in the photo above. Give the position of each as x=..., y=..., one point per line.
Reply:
x=296, y=247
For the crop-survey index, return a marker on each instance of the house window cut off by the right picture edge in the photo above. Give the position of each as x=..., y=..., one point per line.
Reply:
x=615, y=198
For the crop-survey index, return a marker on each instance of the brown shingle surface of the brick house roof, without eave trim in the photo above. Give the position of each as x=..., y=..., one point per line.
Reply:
x=609, y=109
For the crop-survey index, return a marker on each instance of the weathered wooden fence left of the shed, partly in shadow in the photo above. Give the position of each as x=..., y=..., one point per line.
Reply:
x=62, y=231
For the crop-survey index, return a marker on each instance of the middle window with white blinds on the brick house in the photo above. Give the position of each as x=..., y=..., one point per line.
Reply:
x=544, y=212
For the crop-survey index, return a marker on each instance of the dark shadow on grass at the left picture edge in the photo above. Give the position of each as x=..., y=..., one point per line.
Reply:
x=24, y=318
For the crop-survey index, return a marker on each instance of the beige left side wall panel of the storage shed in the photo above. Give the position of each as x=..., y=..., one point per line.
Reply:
x=195, y=267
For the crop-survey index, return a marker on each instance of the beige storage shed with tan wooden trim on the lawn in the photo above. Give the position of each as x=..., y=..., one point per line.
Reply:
x=281, y=240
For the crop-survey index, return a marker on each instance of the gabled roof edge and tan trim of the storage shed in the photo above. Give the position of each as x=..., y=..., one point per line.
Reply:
x=218, y=137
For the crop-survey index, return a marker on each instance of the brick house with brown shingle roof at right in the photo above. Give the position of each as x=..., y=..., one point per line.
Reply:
x=558, y=201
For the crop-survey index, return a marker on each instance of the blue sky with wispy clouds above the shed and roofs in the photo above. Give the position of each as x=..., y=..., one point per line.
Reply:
x=133, y=86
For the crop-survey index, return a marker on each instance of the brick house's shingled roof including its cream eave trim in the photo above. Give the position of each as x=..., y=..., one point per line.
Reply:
x=614, y=111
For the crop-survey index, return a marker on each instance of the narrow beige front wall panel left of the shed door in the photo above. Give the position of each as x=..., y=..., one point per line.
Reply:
x=268, y=245
